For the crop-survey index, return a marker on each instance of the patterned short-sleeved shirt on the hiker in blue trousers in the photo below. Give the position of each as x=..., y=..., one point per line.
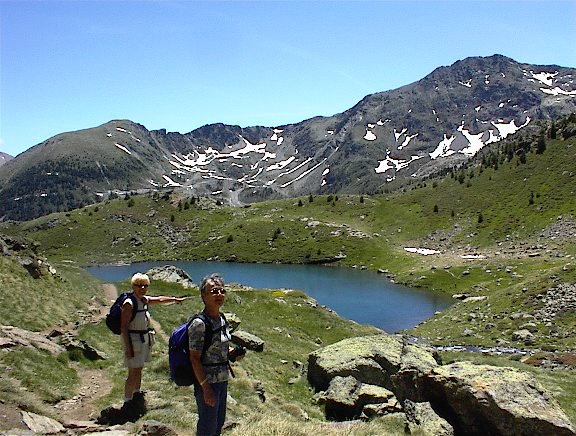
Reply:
x=217, y=352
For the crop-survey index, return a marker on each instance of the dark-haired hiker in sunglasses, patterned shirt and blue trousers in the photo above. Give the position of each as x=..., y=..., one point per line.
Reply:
x=211, y=364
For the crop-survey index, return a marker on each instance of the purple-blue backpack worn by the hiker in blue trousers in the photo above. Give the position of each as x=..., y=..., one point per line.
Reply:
x=181, y=371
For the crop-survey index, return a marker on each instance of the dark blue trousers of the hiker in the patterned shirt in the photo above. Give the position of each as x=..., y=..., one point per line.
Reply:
x=211, y=419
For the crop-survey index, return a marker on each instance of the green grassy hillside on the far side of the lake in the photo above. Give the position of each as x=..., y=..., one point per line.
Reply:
x=514, y=213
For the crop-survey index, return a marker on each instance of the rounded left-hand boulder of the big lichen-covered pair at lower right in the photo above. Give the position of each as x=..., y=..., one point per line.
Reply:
x=369, y=359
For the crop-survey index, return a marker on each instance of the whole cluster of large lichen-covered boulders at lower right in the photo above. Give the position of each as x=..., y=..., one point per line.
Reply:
x=472, y=399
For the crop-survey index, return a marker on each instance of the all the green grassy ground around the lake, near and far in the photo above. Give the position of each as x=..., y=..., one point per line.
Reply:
x=514, y=213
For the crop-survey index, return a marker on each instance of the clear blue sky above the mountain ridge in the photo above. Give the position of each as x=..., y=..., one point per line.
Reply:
x=178, y=65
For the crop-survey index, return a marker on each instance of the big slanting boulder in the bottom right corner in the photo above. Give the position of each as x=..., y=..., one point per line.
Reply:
x=485, y=400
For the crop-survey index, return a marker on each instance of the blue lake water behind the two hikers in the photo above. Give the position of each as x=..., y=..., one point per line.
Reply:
x=363, y=296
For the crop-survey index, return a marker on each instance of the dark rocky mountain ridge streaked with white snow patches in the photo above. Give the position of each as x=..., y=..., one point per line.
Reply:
x=384, y=142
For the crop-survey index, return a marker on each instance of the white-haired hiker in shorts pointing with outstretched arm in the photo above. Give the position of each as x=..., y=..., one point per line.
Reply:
x=137, y=336
